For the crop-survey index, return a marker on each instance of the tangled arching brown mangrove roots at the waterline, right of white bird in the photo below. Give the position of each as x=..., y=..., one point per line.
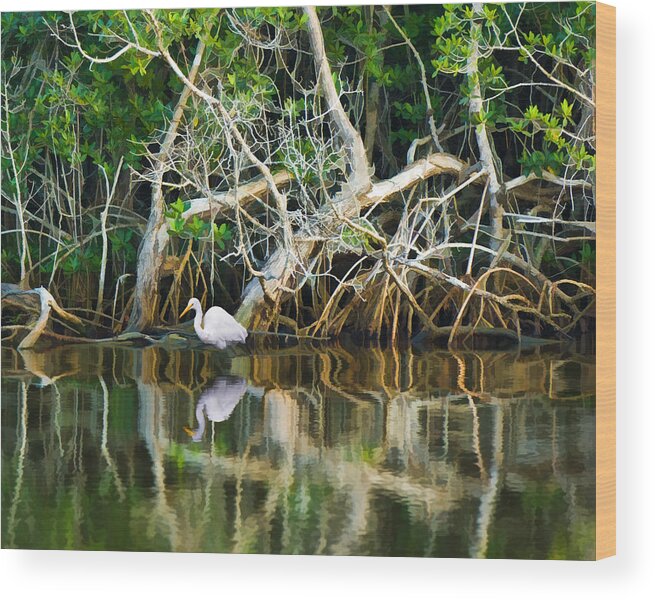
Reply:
x=396, y=280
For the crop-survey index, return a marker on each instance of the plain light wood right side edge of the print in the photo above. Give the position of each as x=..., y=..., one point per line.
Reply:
x=606, y=281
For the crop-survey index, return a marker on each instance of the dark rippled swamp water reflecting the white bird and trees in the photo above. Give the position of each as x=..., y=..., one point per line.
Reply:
x=312, y=450
